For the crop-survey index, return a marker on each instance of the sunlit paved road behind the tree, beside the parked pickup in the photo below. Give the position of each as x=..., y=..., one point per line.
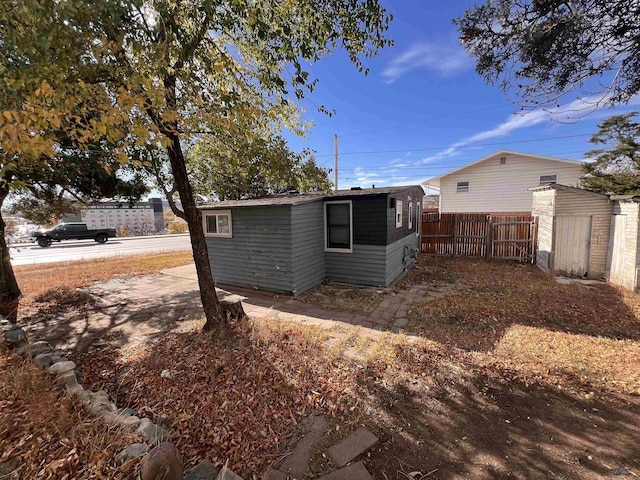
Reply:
x=28, y=254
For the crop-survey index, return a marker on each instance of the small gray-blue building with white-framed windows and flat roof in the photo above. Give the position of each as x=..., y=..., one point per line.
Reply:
x=291, y=243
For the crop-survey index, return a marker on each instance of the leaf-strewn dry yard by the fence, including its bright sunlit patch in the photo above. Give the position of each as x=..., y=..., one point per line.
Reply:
x=520, y=319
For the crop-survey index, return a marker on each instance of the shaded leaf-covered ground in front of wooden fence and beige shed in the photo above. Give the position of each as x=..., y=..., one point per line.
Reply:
x=503, y=294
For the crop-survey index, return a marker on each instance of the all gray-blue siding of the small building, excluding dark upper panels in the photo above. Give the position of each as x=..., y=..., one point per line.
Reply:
x=281, y=249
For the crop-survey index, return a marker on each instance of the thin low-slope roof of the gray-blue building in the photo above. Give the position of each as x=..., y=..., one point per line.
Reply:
x=296, y=199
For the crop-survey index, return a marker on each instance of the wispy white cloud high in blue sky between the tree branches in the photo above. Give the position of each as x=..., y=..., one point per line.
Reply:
x=444, y=60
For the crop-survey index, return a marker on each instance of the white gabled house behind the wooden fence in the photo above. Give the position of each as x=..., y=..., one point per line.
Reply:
x=499, y=183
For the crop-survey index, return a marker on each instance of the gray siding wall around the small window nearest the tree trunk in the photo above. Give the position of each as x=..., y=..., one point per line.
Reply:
x=259, y=253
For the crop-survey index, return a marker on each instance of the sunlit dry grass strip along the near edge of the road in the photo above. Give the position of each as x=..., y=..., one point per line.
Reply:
x=35, y=280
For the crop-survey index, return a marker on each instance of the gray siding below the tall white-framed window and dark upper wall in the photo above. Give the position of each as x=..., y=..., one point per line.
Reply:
x=367, y=265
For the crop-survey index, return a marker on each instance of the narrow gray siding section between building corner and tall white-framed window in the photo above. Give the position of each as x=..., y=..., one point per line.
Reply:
x=307, y=246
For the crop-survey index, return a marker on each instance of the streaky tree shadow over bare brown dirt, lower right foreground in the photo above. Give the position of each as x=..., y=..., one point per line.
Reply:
x=480, y=426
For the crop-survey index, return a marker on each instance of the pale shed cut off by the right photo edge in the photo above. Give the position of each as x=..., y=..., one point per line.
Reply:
x=624, y=252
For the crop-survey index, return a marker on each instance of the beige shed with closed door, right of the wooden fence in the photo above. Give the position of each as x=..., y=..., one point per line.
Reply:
x=573, y=230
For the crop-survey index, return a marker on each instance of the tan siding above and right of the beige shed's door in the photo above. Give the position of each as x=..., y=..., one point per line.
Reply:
x=600, y=208
